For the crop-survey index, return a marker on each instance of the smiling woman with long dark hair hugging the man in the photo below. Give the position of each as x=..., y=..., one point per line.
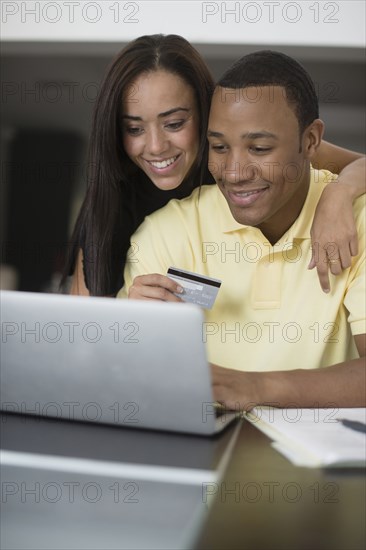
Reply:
x=142, y=156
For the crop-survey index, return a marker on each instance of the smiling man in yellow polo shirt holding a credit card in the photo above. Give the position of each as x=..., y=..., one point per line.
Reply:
x=279, y=337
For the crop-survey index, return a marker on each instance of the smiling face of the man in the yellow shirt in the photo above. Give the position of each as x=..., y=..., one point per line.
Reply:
x=258, y=158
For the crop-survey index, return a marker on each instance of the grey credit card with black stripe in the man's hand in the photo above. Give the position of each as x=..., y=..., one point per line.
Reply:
x=198, y=289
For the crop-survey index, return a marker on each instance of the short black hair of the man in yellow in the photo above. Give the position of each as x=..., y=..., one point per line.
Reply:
x=270, y=68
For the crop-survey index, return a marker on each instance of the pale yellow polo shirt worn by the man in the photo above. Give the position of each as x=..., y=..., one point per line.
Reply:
x=270, y=312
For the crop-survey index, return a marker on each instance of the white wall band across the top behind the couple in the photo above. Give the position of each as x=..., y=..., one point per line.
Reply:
x=305, y=22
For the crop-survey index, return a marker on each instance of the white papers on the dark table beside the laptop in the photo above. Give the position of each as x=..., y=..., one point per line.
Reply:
x=314, y=437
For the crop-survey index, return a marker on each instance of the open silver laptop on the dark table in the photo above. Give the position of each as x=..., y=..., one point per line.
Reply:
x=139, y=364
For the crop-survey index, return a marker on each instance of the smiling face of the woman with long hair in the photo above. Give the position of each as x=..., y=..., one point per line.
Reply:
x=160, y=127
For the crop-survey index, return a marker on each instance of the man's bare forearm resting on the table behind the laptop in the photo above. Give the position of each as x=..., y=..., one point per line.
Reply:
x=341, y=385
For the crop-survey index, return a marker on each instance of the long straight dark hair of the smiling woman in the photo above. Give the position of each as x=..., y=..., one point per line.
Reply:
x=113, y=179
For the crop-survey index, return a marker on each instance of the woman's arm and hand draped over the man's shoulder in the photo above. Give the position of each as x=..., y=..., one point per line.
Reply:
x=333, y=233
